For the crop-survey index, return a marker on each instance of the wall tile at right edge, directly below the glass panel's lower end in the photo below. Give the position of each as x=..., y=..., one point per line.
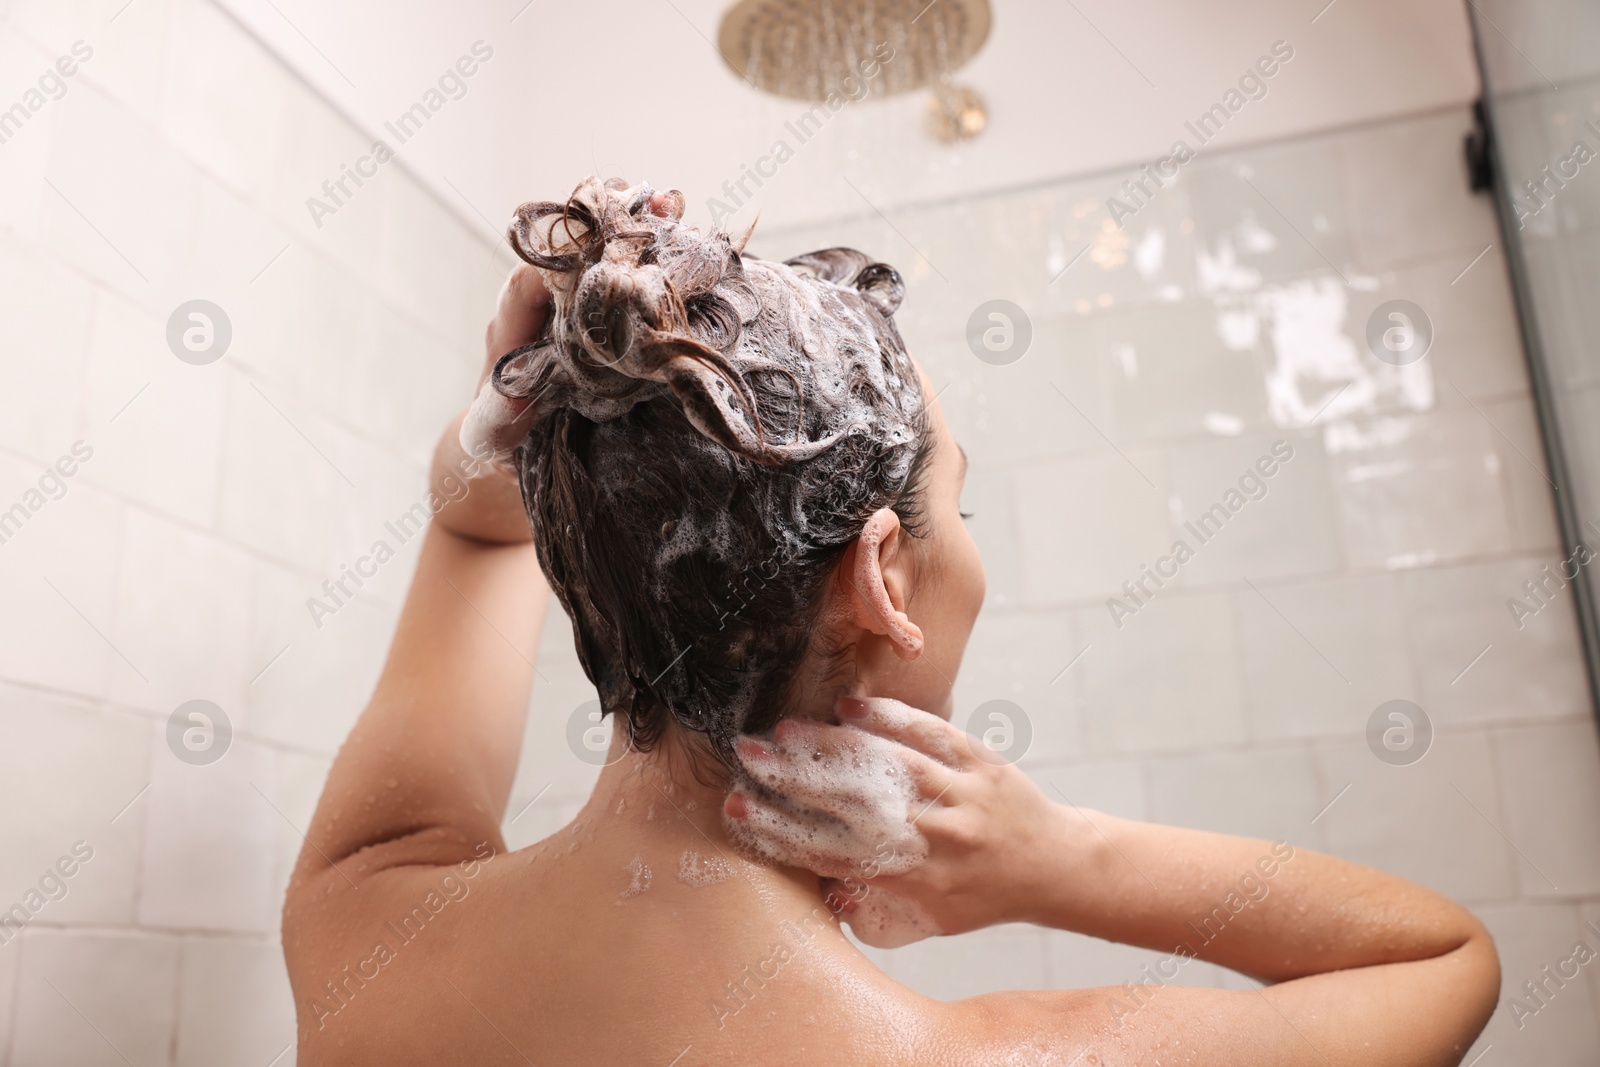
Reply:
x=1551, y=781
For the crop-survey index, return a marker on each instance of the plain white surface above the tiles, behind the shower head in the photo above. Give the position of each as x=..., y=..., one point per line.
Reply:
x=638, y=89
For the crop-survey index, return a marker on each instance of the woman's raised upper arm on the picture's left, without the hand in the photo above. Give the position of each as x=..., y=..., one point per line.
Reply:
x=428, y=769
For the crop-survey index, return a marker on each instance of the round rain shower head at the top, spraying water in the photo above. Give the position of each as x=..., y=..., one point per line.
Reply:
x=810, y=49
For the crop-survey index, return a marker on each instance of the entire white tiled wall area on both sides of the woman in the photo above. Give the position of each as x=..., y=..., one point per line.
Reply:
x=1228, y=314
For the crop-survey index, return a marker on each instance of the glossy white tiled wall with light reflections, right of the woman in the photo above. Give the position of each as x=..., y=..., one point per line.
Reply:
x=1228, y=314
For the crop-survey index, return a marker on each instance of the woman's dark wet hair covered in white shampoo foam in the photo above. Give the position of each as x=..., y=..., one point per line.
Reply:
x=711, y=434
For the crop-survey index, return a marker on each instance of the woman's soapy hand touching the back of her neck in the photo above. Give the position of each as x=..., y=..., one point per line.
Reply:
x=916, y=828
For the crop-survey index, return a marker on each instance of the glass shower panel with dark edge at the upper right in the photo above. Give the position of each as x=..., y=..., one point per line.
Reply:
x=1542, y=98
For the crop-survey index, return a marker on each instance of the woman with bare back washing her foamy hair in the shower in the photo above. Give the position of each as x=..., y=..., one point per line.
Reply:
x=748, y=502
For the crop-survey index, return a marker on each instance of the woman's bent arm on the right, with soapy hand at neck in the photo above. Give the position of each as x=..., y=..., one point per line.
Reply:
x=1370, y=969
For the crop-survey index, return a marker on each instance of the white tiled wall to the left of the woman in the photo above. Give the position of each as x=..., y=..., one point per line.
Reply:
x=182, y=556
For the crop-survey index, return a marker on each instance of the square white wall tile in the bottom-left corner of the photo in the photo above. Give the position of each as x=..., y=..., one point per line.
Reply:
x=95, y=1001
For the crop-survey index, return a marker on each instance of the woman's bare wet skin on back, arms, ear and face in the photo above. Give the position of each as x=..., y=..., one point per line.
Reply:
x=545, y=956
